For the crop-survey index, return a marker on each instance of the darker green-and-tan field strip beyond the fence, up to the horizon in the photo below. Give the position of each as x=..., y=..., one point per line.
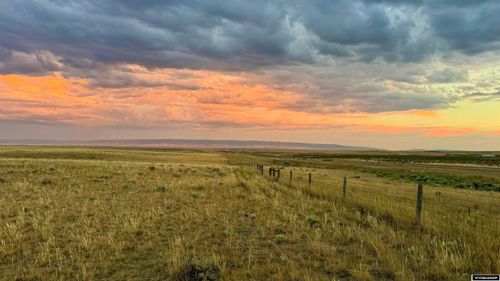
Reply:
x=470, y=171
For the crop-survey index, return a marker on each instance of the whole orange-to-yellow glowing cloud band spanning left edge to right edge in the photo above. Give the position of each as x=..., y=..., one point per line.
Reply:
x=172, y=97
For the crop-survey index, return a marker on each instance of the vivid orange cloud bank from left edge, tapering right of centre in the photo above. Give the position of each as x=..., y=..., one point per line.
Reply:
x=184, y=96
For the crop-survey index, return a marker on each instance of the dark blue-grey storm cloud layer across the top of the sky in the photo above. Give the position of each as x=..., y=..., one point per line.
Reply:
x=246, y=34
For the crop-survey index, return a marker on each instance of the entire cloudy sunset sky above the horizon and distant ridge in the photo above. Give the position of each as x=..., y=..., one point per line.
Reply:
x=394, y=74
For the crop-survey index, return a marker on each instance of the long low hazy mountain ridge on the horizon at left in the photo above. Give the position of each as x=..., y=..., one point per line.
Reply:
x=189, y=143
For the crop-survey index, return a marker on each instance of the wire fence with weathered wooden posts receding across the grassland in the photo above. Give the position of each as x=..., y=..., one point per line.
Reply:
x=441, y=210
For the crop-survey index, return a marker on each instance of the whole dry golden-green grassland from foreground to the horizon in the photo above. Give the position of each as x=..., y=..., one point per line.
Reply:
x=140, y=214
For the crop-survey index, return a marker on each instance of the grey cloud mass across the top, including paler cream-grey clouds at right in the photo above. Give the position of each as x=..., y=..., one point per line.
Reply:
x=339, y=52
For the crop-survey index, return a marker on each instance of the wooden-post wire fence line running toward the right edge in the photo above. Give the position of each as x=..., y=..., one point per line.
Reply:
x=429, y=209
